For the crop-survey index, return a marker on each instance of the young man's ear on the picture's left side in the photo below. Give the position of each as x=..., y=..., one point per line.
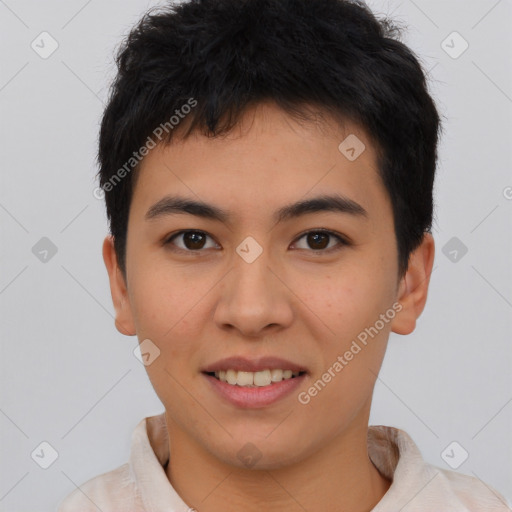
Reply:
x=124, y=318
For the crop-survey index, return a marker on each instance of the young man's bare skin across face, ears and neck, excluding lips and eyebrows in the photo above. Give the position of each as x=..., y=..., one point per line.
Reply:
x=294, y=301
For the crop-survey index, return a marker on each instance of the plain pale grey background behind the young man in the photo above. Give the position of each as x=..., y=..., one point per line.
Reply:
x=70, y=379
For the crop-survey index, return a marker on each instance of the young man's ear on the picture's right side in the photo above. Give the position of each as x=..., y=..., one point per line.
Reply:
x=413, y=287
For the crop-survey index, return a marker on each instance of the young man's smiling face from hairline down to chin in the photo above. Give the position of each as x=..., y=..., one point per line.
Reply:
x=238, y=279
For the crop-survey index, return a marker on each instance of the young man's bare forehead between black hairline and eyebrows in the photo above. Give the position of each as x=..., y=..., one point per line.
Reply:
x=266, y=159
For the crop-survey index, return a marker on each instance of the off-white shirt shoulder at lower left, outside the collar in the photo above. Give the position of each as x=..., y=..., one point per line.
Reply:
x=111, y=491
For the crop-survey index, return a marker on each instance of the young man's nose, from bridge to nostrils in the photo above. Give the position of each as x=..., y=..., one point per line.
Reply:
x=254, y=298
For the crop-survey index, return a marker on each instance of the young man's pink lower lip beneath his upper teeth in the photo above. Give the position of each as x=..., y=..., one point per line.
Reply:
x=255, y=397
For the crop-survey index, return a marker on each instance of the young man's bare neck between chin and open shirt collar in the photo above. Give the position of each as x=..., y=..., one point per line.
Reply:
x=339, y=476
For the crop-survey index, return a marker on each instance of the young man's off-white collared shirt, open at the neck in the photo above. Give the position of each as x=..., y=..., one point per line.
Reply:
x=141, y=485
